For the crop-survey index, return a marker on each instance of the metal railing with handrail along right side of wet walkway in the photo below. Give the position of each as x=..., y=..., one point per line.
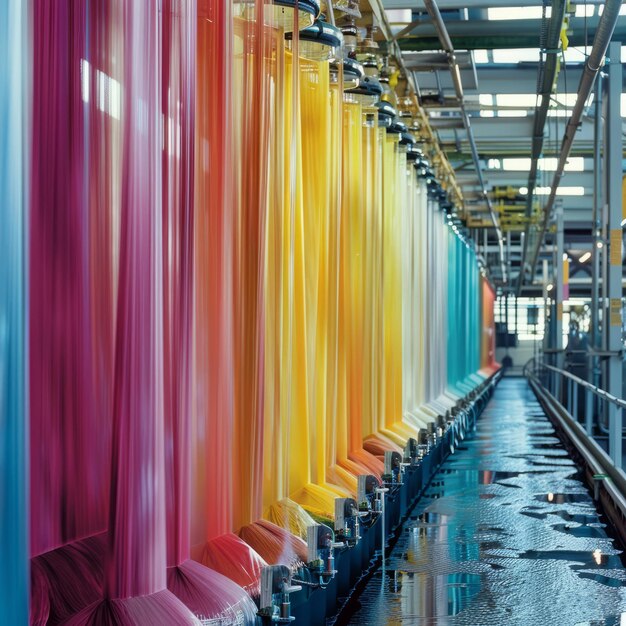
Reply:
x=586, y=403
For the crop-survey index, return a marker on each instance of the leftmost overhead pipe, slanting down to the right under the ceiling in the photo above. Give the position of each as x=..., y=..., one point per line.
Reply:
x=446, y=43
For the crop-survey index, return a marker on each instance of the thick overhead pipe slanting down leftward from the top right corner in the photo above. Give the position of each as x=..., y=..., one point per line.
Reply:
x=592, y=67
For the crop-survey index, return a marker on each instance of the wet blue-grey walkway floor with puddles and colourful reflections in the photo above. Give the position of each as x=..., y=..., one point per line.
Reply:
x=506, y=534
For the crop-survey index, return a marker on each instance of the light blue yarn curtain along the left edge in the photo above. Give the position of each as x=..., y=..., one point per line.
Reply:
x=13, y=410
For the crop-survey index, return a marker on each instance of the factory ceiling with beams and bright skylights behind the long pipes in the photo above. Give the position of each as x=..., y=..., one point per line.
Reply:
x=499, y=46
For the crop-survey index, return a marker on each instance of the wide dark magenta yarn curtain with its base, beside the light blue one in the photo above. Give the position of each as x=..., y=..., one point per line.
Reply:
x=71, y=305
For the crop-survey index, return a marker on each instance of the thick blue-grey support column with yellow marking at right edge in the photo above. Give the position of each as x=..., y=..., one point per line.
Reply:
x=613, y=186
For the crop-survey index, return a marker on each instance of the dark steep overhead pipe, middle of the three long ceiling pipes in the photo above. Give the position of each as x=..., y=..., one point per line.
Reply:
x=545, y=82
